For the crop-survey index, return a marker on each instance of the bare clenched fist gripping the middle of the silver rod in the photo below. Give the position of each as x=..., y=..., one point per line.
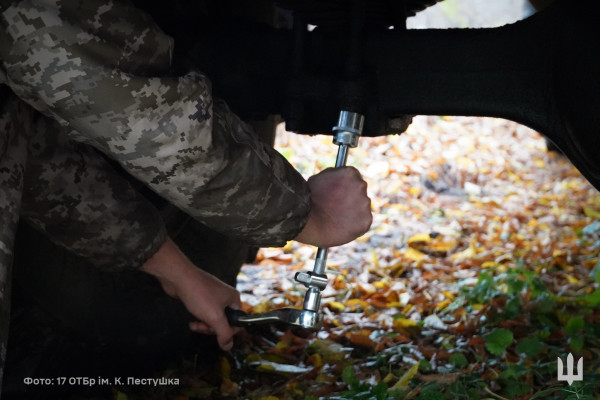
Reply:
x=341, y=208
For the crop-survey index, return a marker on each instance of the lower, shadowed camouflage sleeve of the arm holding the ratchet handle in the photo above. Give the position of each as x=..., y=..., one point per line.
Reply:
x=73, y=195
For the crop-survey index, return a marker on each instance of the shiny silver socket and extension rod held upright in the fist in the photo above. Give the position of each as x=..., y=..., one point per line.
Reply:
x=345, y=134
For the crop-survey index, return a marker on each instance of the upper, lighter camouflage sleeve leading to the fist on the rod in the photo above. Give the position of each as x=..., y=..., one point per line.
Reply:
x=101, y=69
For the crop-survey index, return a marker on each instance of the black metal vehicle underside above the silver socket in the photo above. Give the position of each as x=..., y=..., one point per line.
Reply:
x=542, y=72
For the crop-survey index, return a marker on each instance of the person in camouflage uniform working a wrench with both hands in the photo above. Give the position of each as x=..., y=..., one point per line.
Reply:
x=100, y=73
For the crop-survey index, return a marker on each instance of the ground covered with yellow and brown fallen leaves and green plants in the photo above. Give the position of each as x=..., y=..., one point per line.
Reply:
x=480, y=270
